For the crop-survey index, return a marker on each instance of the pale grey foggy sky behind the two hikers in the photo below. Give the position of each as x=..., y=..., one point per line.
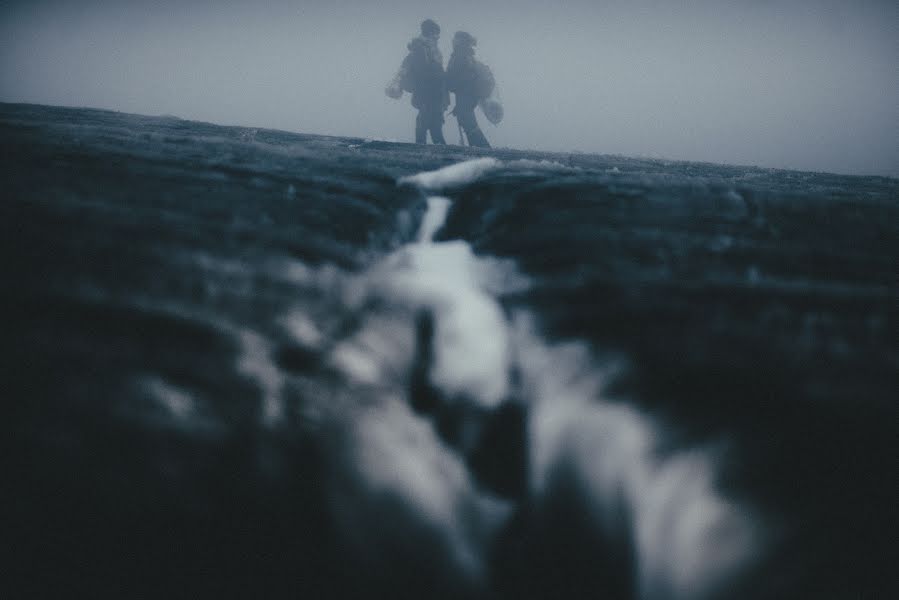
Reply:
x=807, y=84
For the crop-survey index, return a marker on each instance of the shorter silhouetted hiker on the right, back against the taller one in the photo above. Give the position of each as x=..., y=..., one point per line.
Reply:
x=471, y=82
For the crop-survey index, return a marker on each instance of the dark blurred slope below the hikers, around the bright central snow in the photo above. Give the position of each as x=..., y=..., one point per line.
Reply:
x=175, y=427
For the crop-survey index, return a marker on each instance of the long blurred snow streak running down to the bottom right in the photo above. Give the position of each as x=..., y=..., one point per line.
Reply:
x=688, y=539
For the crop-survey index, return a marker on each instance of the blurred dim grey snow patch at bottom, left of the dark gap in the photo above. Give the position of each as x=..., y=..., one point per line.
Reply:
x=392, y=468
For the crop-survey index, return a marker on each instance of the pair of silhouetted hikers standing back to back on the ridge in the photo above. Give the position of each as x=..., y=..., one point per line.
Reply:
x=470, y=81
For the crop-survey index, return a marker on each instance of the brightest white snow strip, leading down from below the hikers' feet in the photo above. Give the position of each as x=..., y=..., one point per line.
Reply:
x=471, y=345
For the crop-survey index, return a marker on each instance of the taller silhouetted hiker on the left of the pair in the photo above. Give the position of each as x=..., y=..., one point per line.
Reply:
x=422, y=74
